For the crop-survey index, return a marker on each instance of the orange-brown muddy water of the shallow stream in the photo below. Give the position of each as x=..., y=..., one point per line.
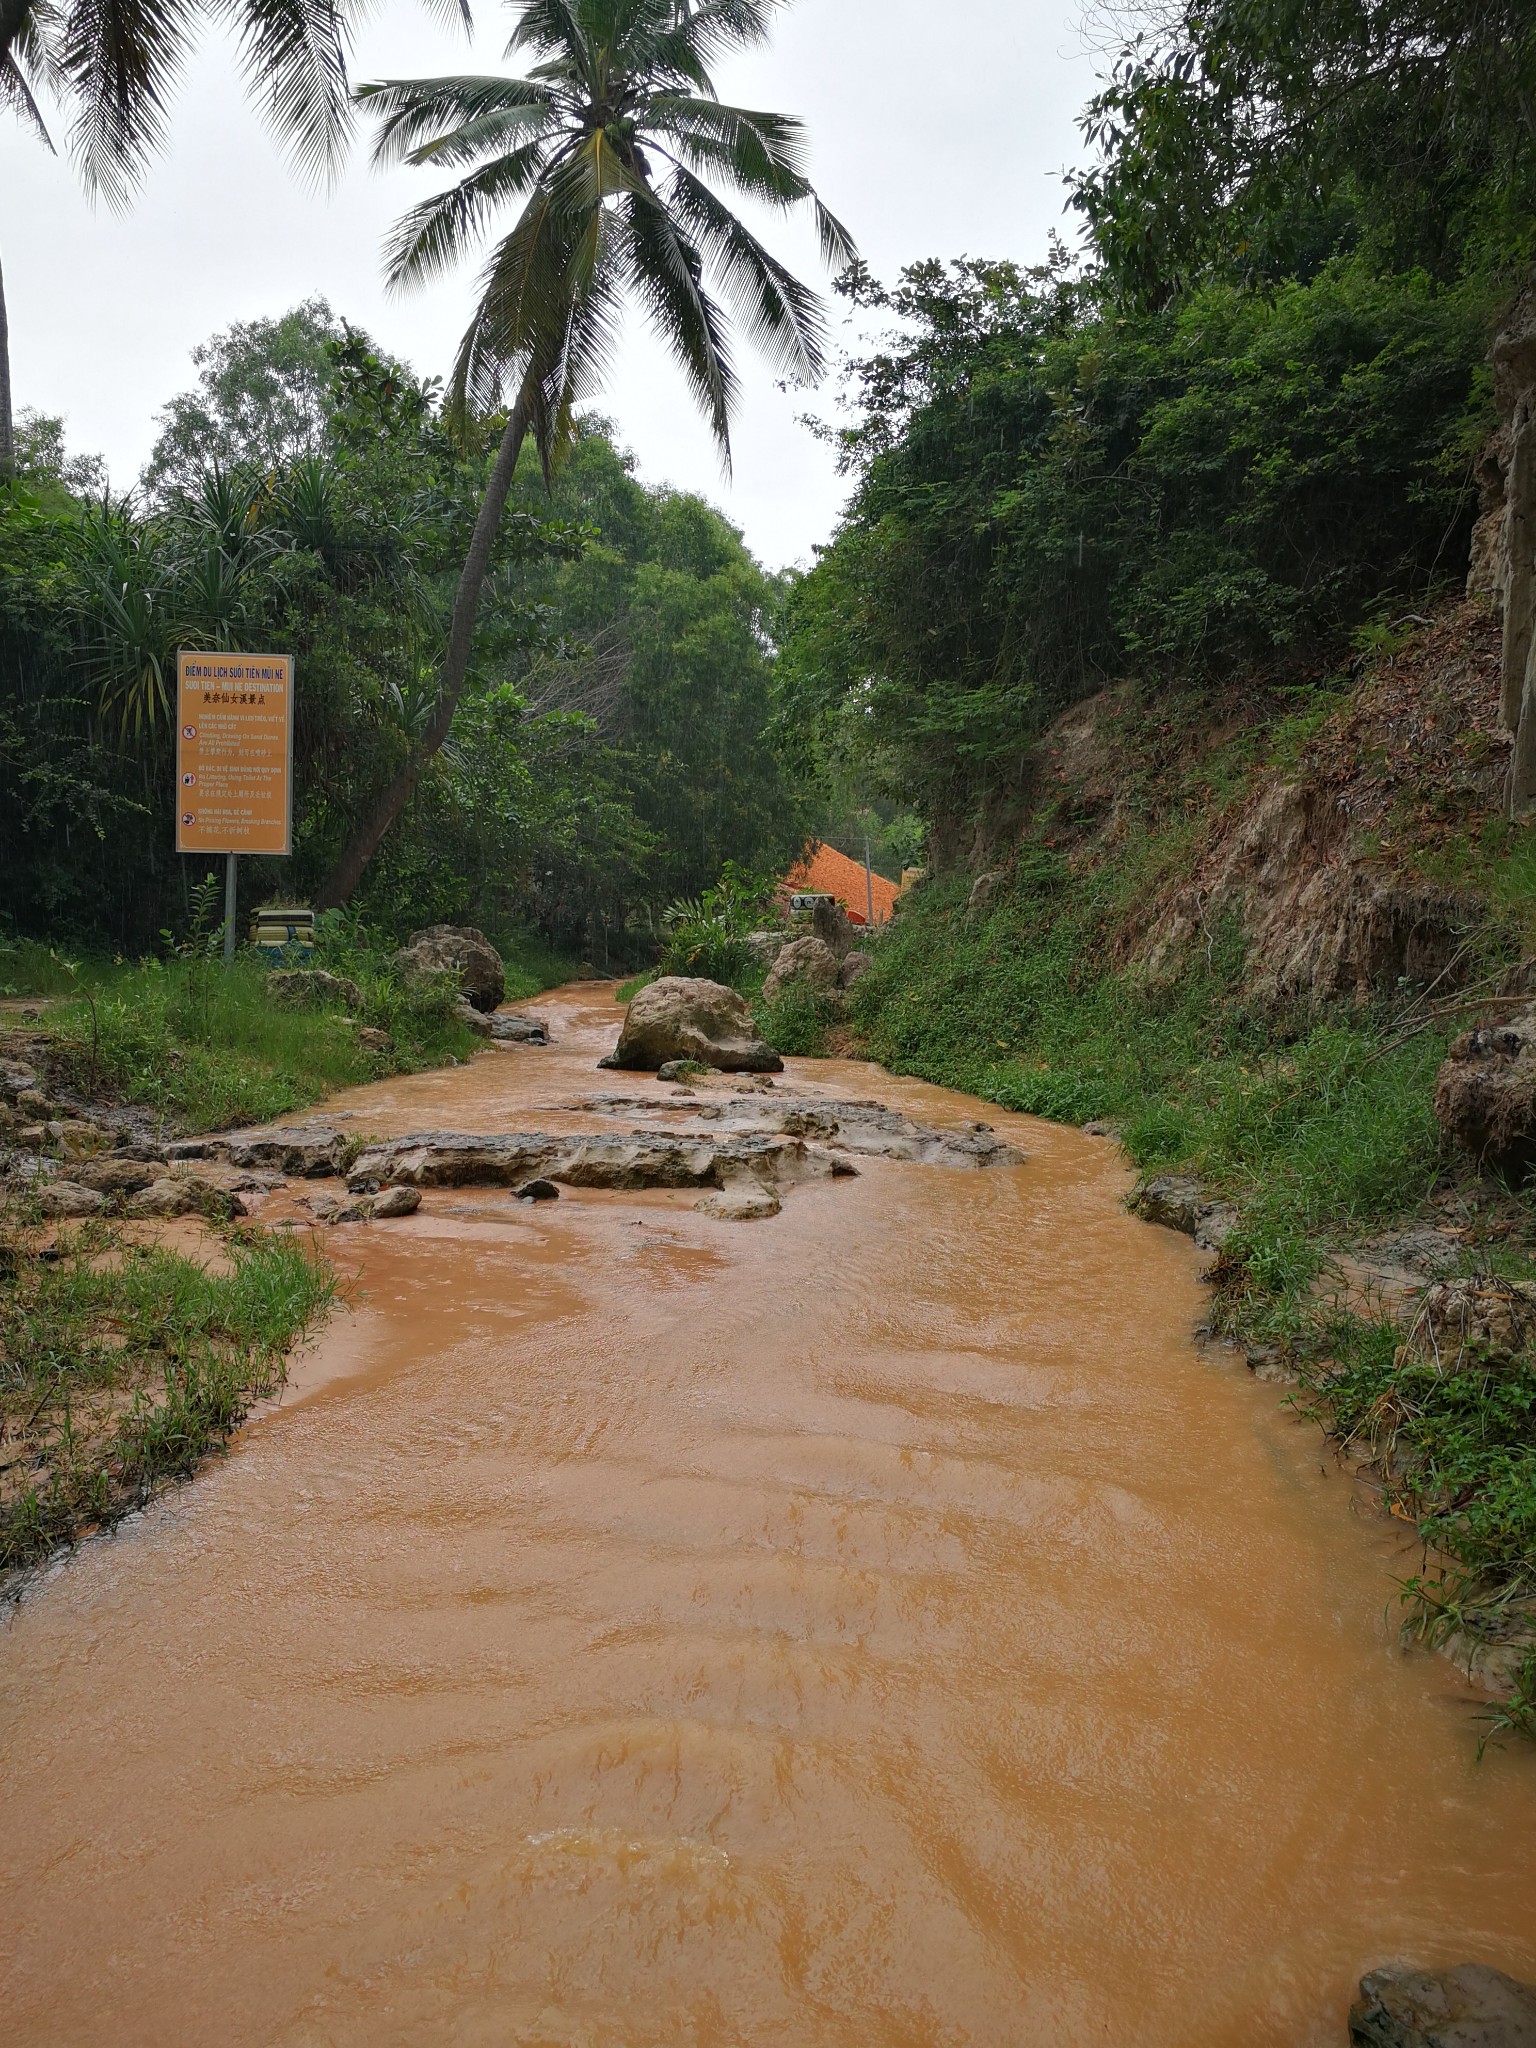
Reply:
x=878, y=1625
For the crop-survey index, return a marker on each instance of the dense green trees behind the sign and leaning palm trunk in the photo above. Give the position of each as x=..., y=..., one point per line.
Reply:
x=613, y=746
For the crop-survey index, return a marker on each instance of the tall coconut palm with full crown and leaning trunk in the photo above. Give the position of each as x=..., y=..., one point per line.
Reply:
x=611, y=144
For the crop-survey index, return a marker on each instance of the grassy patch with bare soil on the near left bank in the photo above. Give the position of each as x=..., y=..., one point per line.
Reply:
x=122, y=1367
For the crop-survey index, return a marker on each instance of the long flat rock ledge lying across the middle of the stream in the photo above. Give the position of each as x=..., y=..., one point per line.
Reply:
x=589, y=1160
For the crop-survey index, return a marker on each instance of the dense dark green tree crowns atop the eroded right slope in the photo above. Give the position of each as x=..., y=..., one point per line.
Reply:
x=1054, y=493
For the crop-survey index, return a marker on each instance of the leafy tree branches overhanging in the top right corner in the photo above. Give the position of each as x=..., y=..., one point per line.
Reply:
x=1256, y=138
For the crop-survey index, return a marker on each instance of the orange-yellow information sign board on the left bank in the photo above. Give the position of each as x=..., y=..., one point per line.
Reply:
x=234, y=755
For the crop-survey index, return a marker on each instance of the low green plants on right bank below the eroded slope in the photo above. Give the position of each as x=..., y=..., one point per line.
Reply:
x=1304, y=1121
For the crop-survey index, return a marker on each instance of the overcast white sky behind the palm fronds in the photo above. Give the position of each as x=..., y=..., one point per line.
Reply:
x=935, y=130
